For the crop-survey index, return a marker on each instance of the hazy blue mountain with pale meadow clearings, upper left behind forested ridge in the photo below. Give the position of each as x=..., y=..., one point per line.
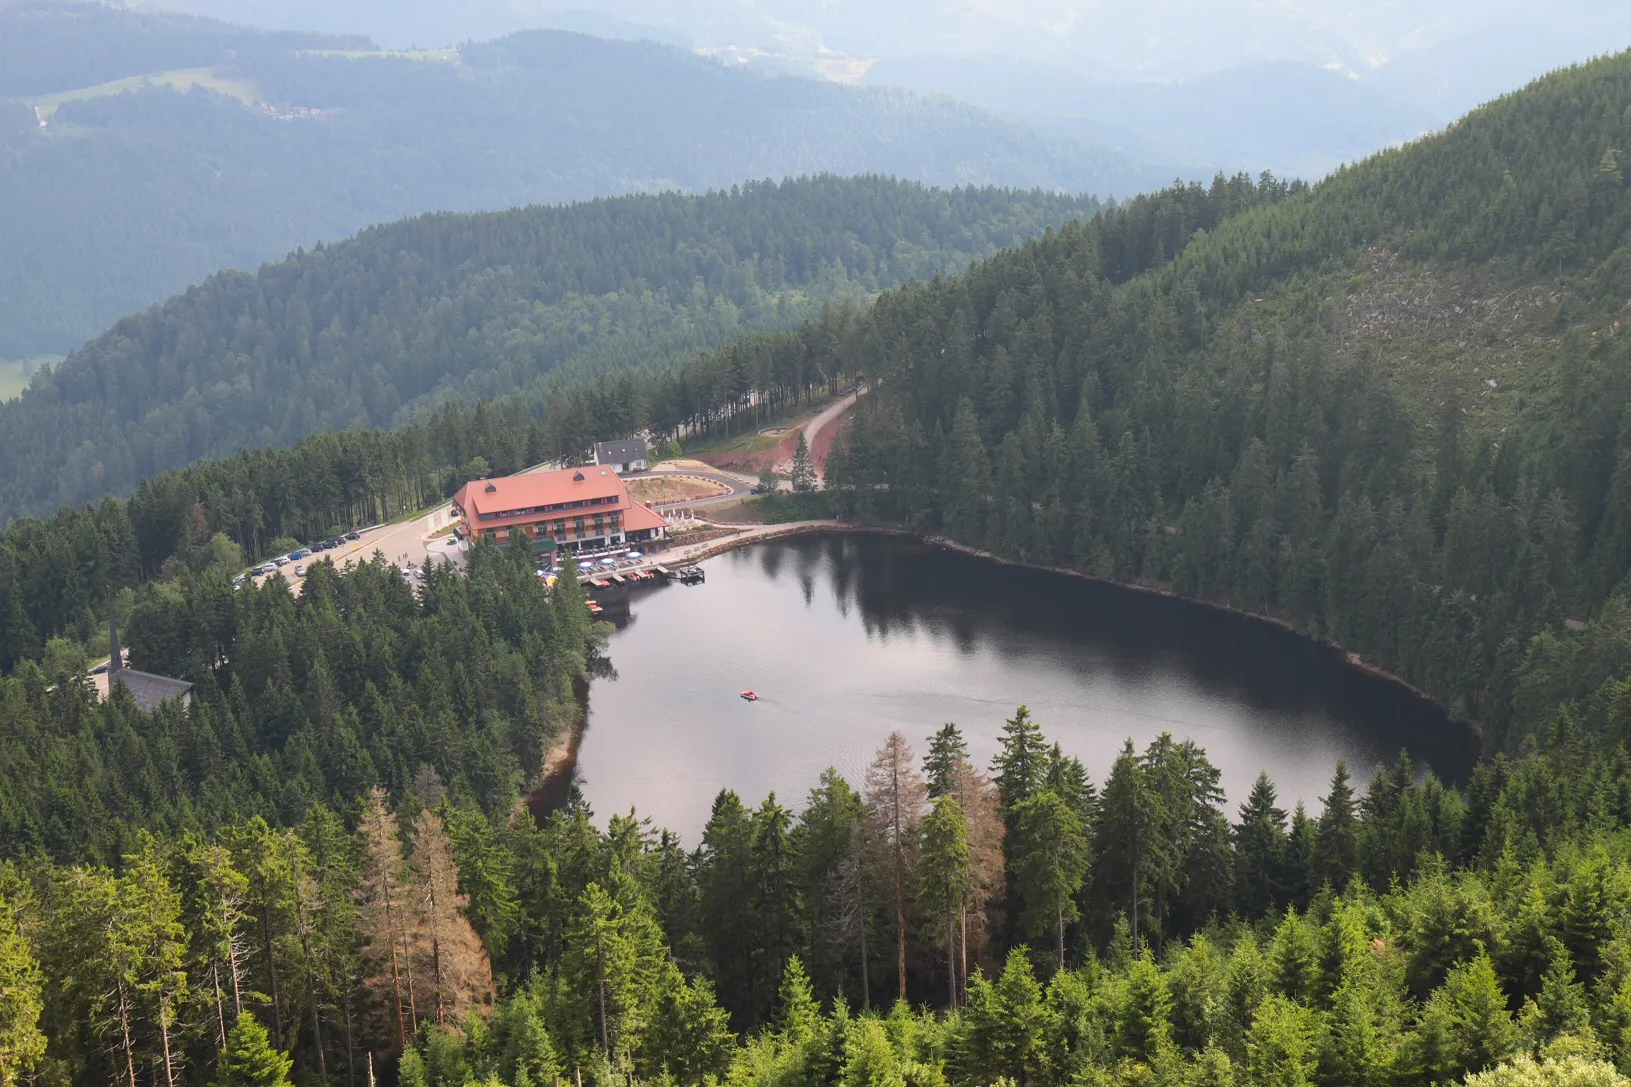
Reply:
x=143, y=151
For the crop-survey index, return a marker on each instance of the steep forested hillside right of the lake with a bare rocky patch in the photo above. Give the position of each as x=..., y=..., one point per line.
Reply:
x=1392, y=410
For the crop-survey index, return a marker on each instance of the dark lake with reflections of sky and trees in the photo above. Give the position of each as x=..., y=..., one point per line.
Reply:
x=849, y=637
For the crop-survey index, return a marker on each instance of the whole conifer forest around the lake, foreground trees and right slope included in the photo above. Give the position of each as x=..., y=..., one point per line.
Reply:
x=1389, y=410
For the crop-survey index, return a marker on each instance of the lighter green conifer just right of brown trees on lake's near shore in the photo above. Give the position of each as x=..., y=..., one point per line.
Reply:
x=1050, y=851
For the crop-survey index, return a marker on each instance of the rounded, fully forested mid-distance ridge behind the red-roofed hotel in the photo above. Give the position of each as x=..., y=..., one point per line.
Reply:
x=378, y=329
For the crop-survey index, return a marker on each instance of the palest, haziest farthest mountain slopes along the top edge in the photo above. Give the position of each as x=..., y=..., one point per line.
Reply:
x=1434, y=56
